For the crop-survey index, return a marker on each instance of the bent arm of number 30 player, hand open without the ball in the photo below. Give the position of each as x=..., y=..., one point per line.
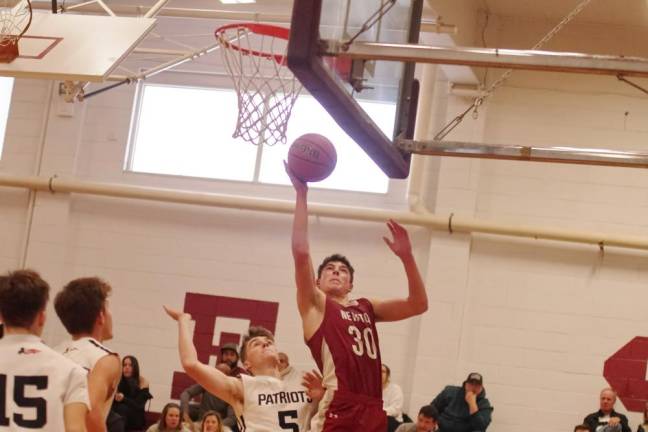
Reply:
x=416, y=301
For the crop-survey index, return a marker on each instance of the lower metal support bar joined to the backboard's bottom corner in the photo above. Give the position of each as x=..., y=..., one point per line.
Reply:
x=573, y=155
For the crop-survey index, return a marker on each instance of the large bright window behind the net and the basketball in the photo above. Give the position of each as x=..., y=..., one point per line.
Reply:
x=188, y=131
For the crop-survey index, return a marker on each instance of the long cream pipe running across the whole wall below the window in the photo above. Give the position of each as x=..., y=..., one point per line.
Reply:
x=452, y=223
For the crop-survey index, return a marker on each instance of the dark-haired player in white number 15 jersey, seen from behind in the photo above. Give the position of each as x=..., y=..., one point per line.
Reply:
x=39, y=388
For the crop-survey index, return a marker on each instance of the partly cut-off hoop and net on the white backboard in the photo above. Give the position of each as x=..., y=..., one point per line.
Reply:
x=14, y=22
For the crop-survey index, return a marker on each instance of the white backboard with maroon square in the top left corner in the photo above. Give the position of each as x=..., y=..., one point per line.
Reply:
x=75, y=47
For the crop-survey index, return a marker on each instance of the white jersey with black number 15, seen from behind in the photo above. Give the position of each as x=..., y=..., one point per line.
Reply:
x=36, y=383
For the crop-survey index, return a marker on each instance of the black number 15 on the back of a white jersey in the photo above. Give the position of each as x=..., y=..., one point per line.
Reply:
x=39, y=405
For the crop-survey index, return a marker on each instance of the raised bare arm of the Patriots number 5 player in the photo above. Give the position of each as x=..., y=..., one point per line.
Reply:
x=214, y=381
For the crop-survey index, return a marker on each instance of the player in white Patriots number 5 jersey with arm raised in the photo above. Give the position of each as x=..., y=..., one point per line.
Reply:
x=262, y=402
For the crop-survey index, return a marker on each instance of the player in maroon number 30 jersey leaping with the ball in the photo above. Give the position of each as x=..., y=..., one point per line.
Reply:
x=341, y=332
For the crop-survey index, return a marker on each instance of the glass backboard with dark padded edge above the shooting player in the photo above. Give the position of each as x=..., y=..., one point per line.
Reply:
x=339, y=85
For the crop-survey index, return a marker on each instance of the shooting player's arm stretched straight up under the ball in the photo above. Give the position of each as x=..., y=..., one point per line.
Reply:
x=309, y=297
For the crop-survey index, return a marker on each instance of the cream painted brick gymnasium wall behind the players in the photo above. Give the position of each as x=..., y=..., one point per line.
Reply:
x=537, y=318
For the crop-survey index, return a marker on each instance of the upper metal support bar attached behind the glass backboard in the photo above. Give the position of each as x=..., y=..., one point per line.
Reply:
x=497, y=58
